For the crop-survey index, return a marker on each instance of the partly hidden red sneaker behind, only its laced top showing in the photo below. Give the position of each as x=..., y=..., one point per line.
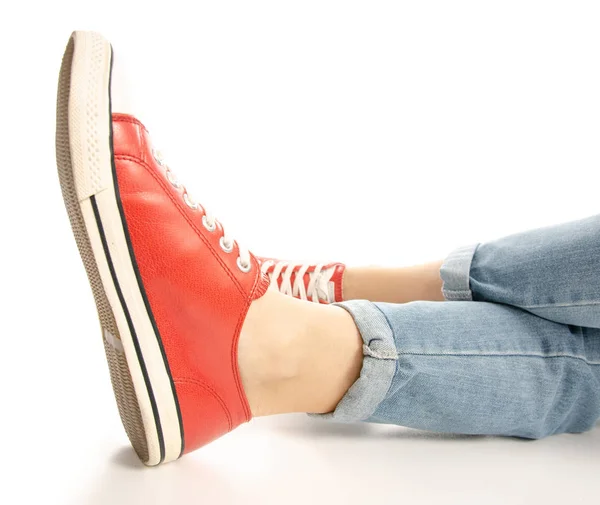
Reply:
x=320, y=283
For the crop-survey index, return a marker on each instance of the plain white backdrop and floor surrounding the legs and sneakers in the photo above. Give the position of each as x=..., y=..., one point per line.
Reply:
x=368, y=132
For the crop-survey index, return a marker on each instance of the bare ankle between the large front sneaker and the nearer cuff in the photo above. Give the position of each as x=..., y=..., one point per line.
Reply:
x=297, y=356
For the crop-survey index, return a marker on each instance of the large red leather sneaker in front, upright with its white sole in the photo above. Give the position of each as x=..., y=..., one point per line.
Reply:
x=171, y=287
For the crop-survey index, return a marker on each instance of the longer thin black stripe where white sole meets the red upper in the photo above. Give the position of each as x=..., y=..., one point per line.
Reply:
x=138, y=276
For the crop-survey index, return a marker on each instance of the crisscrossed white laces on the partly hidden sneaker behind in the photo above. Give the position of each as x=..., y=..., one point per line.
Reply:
x=318, y=285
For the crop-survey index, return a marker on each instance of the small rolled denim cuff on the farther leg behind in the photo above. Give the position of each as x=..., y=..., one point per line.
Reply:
x=455, y=274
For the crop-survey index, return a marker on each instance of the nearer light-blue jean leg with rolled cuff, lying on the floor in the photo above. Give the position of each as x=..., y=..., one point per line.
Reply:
x=473, y=368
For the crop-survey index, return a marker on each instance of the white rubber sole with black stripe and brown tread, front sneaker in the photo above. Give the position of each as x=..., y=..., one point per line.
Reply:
x=139, y=371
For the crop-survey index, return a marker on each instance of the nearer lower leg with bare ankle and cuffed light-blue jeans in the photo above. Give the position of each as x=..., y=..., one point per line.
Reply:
x=473, y=368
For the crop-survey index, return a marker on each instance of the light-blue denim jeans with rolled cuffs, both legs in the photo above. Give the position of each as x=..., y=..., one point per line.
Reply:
x=515, y=349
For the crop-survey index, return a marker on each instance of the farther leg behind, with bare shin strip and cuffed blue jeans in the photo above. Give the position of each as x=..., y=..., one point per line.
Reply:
x=552, y=272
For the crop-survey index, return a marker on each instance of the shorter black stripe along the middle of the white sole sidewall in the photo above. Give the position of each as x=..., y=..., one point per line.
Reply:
x=134, y=338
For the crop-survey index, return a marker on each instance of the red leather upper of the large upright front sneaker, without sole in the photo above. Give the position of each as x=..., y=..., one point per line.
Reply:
x=198, y=295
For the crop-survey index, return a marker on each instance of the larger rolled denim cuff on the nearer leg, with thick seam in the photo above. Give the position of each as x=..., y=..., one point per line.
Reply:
x=379, y=364
